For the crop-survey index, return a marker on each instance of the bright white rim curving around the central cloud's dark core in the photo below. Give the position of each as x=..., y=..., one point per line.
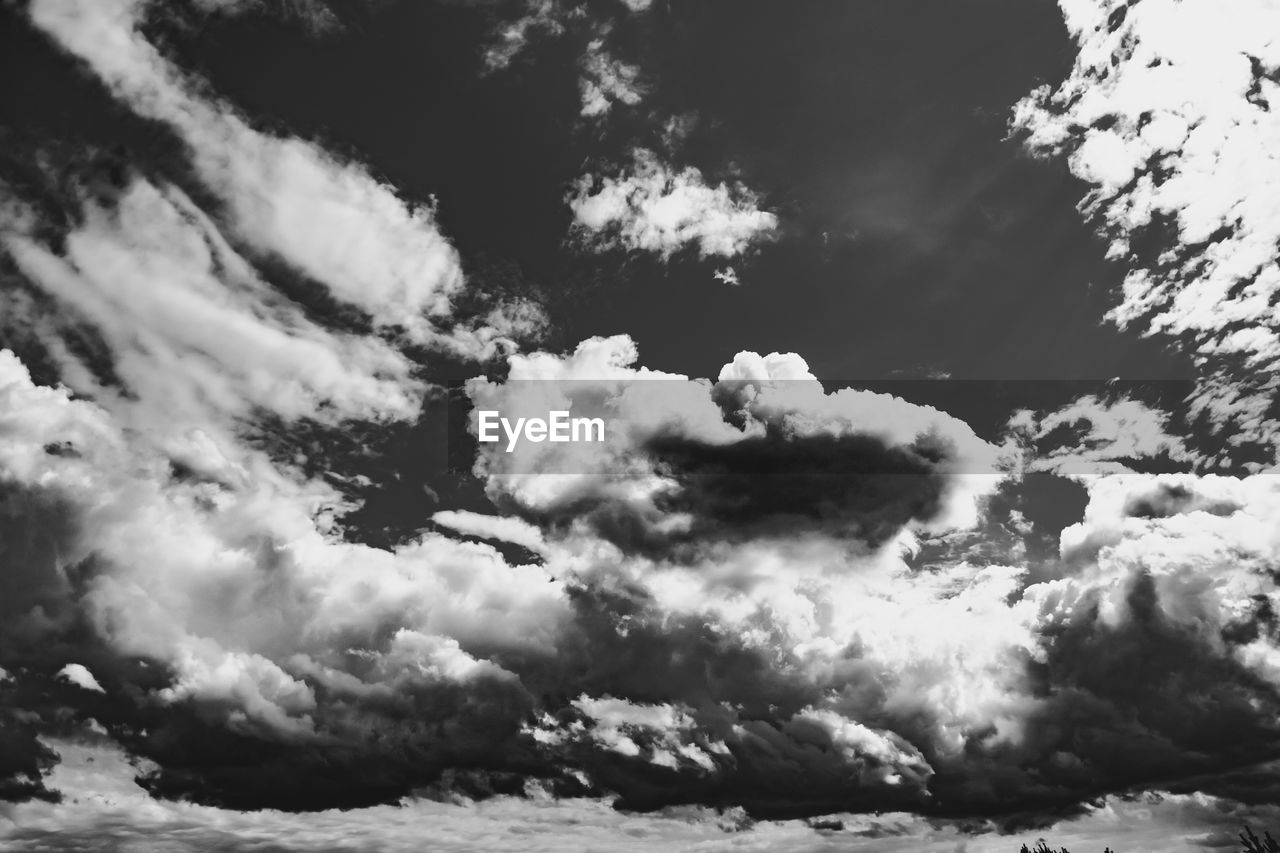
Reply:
x=775, y=394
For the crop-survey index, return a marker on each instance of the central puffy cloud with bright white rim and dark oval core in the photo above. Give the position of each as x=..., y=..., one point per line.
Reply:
x=764, y=454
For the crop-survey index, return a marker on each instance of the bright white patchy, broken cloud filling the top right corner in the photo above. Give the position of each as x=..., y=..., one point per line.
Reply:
x=1169, y=115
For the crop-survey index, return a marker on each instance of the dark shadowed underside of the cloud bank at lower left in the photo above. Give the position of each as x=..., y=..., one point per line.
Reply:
x=373, y=741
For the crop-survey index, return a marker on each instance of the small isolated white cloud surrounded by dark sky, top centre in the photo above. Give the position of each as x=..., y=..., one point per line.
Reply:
x=655, y=208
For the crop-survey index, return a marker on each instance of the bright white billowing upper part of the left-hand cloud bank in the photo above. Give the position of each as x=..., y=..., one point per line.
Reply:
x=236, y=586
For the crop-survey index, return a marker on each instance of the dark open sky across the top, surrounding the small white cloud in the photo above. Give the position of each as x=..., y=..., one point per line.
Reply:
x=872, y=130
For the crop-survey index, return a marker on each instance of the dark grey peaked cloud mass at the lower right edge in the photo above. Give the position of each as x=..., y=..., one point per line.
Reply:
x=1119, y=708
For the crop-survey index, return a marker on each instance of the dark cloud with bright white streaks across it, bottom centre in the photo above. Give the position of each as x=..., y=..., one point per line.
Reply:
x=691, y=714
